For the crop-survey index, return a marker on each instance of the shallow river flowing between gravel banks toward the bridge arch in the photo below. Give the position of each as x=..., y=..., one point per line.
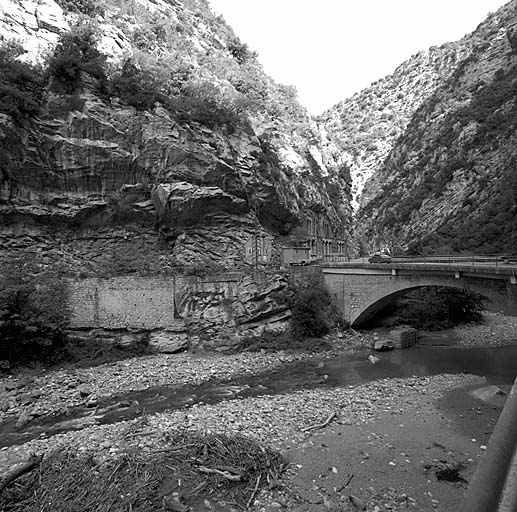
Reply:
x=498, y=365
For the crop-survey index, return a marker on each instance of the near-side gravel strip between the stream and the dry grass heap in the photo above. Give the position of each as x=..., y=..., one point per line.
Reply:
x=273, y=420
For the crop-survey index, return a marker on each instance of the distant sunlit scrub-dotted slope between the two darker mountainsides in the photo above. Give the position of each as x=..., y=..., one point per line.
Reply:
x=365, y=127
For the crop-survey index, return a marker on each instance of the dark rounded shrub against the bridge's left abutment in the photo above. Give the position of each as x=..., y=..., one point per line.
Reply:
x=312, y=307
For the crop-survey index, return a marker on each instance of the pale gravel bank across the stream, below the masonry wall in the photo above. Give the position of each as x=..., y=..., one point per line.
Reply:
x=55, y=392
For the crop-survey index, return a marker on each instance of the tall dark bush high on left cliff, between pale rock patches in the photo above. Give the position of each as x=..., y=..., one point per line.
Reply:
x=75, y=53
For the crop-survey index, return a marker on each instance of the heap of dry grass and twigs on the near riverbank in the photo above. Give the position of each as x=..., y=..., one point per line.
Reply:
x=166, y=480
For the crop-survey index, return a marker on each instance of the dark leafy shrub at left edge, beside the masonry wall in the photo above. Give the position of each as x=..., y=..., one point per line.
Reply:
x=33, y=311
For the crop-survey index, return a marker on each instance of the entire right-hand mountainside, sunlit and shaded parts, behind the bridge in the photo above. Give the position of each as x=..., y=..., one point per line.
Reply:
x=431, y=147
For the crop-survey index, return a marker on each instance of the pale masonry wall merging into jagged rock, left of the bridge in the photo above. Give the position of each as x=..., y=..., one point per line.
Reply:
x=205, y=304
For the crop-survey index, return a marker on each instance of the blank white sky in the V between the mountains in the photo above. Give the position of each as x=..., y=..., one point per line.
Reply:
x=330, y=49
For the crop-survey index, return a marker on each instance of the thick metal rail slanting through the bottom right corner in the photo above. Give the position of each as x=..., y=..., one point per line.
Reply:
x=493, y=487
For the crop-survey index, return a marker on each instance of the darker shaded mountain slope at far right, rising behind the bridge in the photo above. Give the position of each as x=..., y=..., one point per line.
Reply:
x=450, y=182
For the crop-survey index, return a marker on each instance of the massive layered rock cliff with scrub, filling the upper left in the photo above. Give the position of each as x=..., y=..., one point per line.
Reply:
x=149, y=136
